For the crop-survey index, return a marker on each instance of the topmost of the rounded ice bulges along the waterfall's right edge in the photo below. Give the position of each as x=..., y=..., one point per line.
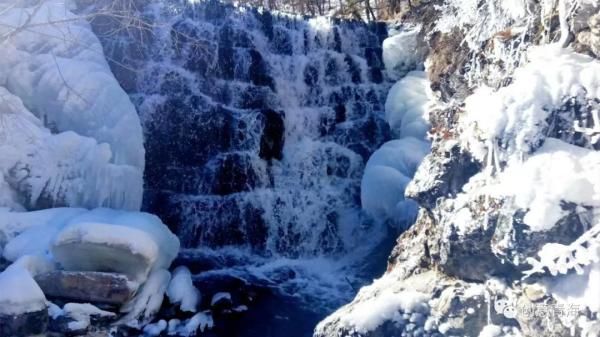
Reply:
x=402, y=52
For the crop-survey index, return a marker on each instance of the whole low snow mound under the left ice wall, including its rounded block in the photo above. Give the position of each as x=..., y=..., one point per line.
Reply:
x=97, y=240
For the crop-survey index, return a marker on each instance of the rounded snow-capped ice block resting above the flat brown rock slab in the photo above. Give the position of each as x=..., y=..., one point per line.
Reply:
x=112, y=241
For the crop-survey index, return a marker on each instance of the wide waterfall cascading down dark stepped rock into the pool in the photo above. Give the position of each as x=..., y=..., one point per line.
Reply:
x=257, y=129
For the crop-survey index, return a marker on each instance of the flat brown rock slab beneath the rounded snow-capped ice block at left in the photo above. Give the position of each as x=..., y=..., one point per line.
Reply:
x=85, y=287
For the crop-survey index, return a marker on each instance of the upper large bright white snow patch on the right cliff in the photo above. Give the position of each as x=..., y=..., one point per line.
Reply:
x=516, y=114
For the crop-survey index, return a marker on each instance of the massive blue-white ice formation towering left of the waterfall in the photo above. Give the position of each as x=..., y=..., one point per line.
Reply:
x=72, y=140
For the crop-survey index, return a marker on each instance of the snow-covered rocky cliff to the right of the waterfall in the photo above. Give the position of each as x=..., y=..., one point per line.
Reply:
x=505, y=242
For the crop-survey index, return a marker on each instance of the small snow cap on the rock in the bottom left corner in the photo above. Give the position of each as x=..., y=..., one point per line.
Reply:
x=20, y=294
